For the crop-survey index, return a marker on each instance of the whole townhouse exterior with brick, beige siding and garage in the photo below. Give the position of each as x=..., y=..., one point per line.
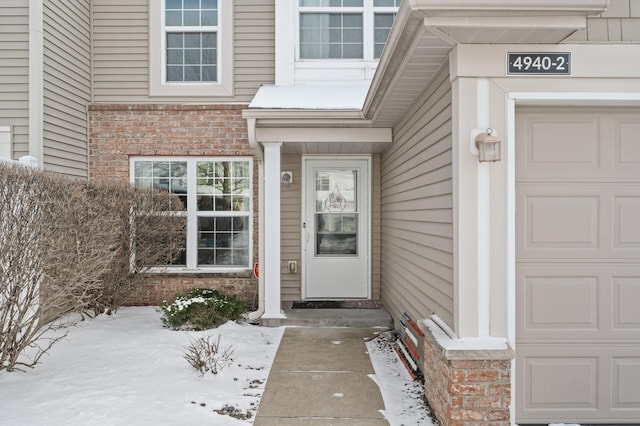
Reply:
x=347, y=167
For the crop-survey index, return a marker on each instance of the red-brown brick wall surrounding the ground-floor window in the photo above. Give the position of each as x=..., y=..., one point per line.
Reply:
x=118, y=132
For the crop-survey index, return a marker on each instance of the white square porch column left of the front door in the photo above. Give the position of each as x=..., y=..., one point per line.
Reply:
x=272, y=230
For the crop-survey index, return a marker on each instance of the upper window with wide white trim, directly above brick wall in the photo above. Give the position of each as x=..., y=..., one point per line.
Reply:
x=191, y=48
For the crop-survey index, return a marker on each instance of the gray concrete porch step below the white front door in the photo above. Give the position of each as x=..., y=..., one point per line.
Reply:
x=356, y=318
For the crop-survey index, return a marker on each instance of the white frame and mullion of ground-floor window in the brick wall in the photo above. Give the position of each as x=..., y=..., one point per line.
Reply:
x=192, y=217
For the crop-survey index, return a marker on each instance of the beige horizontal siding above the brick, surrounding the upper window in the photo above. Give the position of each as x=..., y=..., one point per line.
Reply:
x=121, y=51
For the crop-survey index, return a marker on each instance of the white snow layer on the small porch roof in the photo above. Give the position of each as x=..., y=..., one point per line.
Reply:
x=311, y=97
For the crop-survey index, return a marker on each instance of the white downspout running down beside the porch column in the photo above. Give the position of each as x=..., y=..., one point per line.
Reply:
x=257, y=152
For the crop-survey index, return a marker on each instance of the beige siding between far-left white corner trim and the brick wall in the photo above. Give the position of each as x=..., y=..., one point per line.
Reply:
x=67, y=85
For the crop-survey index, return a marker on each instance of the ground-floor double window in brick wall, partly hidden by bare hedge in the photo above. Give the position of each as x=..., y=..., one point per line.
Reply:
x=217, y=195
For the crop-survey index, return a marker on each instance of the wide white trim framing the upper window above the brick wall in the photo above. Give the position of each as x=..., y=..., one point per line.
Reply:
x=157, y=53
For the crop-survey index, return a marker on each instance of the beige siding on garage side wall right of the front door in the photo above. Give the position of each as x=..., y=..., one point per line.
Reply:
x=417, y=209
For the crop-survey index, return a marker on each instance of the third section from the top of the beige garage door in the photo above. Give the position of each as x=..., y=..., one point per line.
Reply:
x=578, y=303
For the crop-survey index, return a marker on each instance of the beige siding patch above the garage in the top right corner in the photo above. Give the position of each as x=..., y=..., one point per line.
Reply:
x=620, y=23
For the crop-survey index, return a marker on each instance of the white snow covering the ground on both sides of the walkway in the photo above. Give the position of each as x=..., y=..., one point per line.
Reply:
x=128, y=369
